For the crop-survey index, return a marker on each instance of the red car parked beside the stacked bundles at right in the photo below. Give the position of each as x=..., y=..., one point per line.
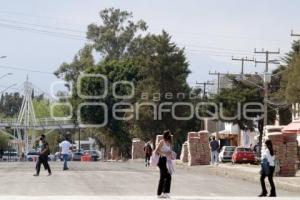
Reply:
x=243, y=155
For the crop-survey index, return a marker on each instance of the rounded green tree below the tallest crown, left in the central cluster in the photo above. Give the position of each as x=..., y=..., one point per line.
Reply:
x=115, y=132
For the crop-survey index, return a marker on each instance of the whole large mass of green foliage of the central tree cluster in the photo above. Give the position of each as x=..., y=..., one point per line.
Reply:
x=152, y=62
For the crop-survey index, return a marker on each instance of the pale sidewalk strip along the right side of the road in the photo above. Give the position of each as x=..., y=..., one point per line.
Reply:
x=251, y=173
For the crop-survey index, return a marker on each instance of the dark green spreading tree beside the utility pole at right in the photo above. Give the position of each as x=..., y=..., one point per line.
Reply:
x=242, y=93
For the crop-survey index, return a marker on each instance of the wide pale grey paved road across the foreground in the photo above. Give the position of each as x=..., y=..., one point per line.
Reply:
x=120, y=179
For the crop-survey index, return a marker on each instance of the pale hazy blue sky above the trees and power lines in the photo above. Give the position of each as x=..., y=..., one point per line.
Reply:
x=37, y=36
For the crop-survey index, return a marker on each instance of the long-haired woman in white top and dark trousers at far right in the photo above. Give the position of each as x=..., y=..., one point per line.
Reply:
x=268, y=168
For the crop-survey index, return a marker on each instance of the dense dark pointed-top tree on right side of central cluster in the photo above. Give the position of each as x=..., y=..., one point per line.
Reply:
x=163, y=71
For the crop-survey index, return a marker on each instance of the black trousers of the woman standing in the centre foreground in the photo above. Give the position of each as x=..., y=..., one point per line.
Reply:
x=164, y=185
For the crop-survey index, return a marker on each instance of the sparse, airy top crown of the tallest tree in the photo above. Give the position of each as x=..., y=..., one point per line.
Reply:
x=114, y=37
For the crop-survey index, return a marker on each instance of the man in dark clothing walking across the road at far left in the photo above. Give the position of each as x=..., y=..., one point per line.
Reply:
x=43, y=156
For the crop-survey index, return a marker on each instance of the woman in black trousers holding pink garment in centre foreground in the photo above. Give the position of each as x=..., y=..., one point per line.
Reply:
x=164, y=150
